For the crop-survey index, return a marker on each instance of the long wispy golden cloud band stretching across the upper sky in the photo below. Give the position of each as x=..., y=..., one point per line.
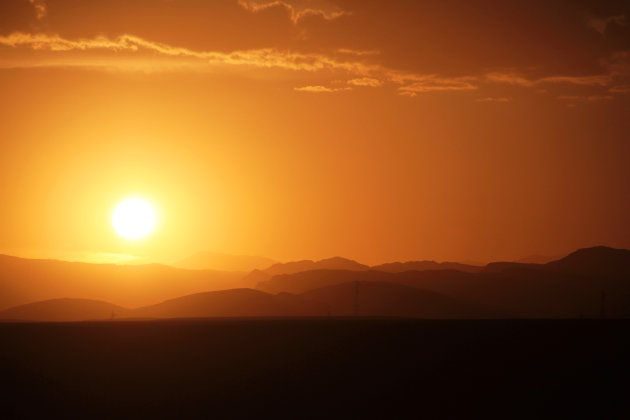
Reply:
x=356, y=72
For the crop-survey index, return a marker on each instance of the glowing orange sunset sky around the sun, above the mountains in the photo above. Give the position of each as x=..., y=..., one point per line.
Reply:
x=375, y=130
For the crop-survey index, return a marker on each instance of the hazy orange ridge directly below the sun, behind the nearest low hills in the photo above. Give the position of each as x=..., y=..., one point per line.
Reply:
x=27, y=280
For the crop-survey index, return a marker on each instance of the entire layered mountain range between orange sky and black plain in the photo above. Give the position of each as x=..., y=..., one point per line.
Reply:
x=592, y=282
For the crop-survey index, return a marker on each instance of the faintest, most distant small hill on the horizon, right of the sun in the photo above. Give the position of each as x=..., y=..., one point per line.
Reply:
x=224, y=262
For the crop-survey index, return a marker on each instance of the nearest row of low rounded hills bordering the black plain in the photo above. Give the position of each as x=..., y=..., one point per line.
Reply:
x=376, y=299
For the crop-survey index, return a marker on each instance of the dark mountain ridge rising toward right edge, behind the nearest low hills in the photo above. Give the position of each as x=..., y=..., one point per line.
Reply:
x=570, y=287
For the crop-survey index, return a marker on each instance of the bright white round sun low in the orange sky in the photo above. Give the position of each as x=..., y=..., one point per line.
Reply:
x=133, y=218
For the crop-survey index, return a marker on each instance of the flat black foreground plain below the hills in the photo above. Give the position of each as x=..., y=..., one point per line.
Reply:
x=316, y=368
